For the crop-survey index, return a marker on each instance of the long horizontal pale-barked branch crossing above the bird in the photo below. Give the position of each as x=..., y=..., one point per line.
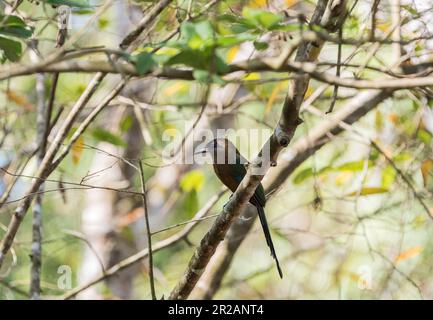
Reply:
x=413, y=76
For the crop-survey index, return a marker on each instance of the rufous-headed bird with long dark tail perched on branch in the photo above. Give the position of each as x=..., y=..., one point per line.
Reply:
x=230, y=167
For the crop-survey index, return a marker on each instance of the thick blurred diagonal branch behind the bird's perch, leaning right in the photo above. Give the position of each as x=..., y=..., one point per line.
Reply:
x=300, y=151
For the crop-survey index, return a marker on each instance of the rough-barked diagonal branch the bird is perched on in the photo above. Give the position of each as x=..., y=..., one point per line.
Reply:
x=326, y=15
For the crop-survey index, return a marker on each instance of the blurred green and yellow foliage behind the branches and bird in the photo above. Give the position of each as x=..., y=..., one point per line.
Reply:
x=345, y=223
